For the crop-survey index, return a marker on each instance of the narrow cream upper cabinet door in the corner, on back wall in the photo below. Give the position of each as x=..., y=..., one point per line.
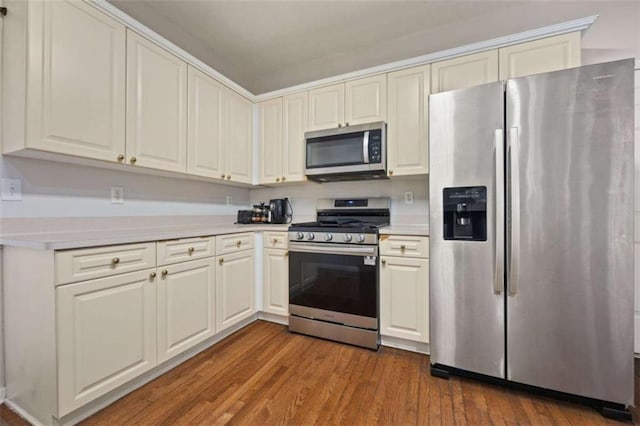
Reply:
x=271, y=141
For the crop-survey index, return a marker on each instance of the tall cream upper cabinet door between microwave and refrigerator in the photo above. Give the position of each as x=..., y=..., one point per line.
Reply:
x=407, y=128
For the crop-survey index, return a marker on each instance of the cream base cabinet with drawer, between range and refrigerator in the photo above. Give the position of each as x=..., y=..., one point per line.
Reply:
x=404, y=287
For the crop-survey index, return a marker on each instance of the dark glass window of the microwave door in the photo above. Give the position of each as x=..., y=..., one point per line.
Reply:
x=332, y=151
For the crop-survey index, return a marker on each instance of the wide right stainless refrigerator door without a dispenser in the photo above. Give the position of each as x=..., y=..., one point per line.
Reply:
x=570, y=231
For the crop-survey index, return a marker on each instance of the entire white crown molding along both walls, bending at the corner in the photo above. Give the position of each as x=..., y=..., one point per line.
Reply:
x=581, y=24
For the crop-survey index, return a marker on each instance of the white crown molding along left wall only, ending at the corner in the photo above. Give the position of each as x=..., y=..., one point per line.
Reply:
x=147, y=32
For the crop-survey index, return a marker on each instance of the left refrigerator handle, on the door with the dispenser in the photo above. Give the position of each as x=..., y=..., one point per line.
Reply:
x=498, y=278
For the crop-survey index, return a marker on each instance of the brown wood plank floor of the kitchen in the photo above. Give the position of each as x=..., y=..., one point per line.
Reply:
x=263, y=375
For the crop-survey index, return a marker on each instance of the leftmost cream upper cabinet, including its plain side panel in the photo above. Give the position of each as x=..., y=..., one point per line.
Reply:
x=49, y=88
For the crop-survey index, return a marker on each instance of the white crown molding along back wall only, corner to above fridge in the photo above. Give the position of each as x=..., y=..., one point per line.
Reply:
x=495, y=43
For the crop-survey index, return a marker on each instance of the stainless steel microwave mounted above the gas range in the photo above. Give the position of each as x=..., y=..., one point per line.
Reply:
x=347, y=153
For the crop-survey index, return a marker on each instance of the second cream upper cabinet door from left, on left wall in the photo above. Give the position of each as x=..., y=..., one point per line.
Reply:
x=156, y=106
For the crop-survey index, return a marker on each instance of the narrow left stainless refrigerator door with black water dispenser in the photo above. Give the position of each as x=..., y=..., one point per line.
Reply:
x=466, y=299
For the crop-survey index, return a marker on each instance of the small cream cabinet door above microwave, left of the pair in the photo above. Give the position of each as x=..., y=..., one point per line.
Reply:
x=326, y=107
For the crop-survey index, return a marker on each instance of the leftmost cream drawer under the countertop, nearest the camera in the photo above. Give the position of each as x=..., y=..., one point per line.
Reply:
x=97, y=262
